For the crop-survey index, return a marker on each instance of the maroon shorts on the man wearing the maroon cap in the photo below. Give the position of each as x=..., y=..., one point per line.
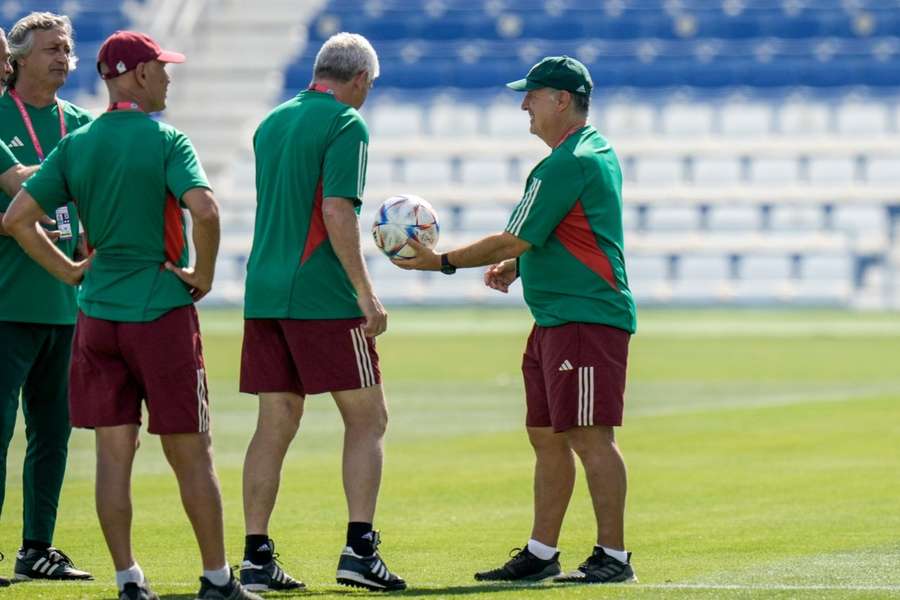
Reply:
x=117, y=365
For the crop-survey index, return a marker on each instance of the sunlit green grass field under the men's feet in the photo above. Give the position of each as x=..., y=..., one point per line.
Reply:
x=763, y=452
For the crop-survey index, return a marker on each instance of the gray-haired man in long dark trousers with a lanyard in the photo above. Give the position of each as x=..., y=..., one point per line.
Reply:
x=37, y=312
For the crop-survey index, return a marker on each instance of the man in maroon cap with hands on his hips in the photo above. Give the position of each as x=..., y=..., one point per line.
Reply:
x=137, y=337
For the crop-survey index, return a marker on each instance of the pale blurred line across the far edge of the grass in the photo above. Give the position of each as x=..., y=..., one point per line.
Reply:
x=843, y=328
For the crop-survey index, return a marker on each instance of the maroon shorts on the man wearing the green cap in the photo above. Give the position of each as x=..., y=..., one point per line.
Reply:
x=575, y=375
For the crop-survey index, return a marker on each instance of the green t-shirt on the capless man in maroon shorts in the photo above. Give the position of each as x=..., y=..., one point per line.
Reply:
x=309, y=148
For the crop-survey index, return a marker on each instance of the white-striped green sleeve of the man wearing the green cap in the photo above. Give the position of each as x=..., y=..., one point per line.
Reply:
x=552, y=191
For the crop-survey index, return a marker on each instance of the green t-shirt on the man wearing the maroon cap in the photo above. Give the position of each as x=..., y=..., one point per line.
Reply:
x=128, y=174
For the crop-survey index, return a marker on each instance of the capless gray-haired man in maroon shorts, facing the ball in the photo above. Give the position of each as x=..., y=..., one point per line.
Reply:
x=311, y=314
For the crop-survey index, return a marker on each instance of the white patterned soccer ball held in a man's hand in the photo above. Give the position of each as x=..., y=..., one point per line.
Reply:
x=403, y=217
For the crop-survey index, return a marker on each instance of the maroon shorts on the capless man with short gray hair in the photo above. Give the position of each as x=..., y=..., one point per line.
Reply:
x=307, y=356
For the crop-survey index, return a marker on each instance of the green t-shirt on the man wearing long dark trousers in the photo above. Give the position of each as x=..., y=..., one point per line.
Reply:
x=29, y=293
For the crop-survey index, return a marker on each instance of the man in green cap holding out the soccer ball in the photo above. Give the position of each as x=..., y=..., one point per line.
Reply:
x=564, y=239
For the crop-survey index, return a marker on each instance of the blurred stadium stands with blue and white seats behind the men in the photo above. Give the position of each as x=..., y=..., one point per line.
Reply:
x=760, y=140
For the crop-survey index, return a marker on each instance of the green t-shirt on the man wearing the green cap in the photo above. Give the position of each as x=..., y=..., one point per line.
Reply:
x=571, y=213
